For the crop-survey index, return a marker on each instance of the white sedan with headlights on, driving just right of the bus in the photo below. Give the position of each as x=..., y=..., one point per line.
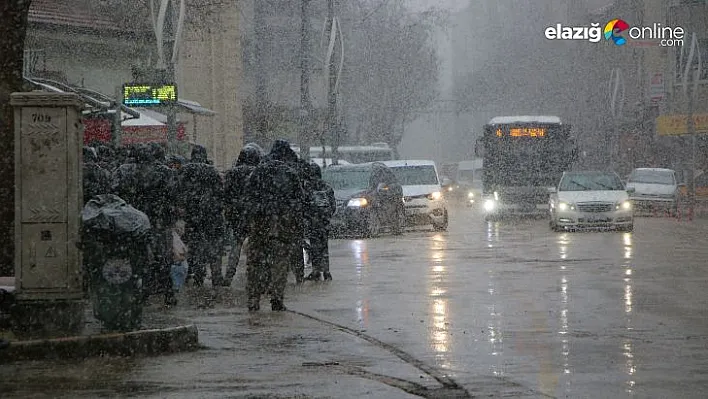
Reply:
x=590, y=199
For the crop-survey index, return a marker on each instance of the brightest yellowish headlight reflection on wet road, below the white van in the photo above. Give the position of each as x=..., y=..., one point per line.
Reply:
x=439, y=335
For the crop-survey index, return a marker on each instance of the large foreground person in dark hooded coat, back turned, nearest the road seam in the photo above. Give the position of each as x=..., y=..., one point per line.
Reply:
x=275, y=220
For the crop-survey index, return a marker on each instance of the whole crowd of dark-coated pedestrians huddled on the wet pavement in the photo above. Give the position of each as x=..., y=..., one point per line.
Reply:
x=274, y=202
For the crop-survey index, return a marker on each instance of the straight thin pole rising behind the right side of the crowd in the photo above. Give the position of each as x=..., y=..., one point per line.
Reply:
x=305, y=104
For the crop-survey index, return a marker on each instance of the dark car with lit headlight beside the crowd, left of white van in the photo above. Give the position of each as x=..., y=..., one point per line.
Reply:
x=369, y=199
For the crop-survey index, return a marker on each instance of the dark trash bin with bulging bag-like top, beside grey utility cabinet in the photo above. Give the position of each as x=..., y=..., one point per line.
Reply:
x=115, y=241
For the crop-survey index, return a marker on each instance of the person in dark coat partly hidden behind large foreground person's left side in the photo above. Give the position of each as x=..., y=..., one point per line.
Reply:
x=235, y=202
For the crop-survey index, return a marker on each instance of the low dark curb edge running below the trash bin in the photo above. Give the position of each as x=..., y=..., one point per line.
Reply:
x=141, y=342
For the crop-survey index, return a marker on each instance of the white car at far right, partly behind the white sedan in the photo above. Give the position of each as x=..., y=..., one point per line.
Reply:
x=654, y=188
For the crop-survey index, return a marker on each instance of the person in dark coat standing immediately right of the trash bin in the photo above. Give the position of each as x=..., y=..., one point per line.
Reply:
x=150, y=187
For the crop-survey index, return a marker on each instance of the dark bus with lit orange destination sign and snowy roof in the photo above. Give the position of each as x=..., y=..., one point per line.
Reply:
x=523, y=156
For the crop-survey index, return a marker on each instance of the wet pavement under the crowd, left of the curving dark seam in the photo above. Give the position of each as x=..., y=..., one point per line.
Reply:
x=242, y=355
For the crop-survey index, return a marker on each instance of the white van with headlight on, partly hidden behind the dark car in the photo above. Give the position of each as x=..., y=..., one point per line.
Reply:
x=422, y=192
